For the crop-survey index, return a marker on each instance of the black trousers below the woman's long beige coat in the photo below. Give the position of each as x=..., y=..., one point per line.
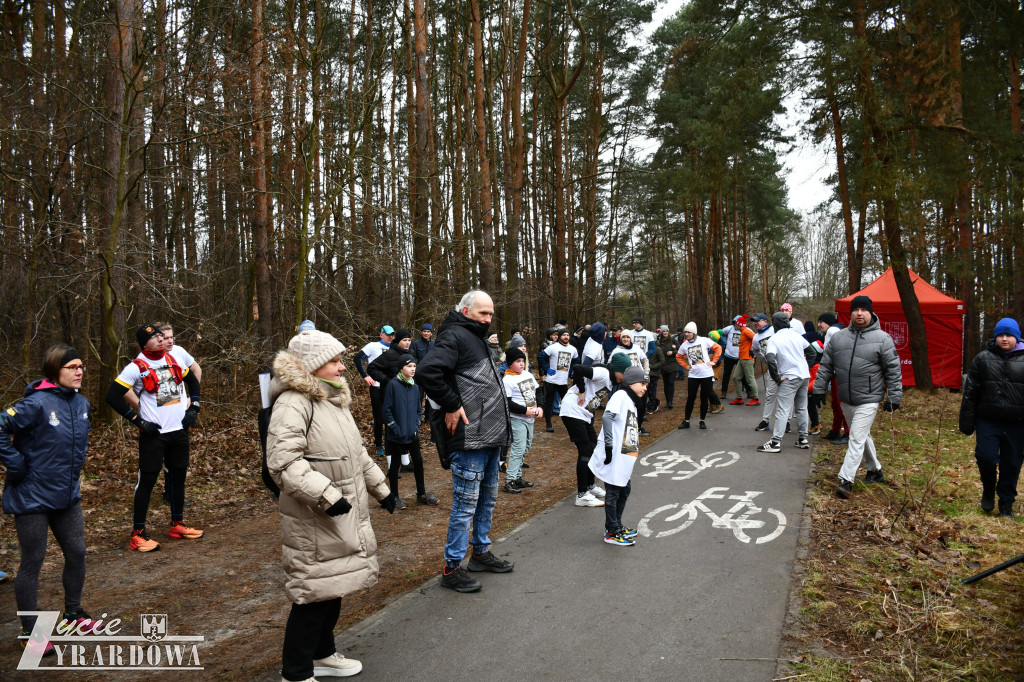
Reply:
x=309, y=636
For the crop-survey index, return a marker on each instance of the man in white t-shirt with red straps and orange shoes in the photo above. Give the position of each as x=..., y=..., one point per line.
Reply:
x=169, y=405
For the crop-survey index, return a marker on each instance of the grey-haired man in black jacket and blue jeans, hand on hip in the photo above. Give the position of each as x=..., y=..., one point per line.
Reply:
x=460, y=377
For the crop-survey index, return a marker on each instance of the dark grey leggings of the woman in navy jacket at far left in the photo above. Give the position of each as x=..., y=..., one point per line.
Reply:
x=32, y=535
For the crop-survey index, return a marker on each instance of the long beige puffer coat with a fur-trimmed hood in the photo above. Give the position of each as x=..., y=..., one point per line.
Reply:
x=324, y=558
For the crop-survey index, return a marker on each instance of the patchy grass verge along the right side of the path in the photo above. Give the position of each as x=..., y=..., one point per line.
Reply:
x=890, y=561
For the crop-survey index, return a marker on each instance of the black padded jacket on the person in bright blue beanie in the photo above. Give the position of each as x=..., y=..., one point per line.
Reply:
x=994, y=388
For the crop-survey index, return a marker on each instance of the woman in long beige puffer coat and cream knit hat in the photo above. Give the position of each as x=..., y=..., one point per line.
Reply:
x=316, y=455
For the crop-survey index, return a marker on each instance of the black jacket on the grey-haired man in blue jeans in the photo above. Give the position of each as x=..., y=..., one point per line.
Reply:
x=458, y=373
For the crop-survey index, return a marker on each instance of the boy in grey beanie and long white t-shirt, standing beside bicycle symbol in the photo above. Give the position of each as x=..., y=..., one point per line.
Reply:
x=617, y=453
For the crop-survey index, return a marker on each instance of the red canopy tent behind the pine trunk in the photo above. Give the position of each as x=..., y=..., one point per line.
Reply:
x=944, y=326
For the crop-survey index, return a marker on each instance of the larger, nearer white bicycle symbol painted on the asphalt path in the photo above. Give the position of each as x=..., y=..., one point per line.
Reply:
x=745, y=519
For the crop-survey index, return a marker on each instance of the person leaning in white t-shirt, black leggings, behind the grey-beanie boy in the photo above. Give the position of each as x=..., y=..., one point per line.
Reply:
x=592, y=386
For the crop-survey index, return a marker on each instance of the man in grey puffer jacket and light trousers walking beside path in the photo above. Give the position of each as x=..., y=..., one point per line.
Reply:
x=866, y=365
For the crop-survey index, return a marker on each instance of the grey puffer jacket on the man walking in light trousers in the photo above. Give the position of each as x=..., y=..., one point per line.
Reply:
x=866, y=364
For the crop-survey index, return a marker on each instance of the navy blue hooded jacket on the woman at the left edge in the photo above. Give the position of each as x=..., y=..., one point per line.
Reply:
x=44, y=441
